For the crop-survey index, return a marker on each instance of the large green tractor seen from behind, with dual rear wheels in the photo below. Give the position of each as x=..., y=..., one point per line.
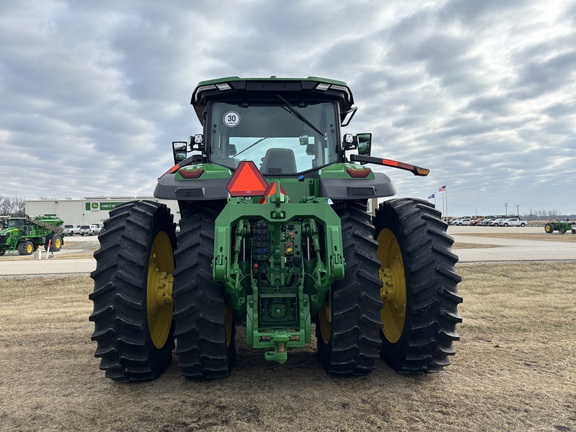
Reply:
x=275, y=235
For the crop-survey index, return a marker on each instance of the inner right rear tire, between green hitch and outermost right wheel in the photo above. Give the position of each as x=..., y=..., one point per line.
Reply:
x=347, y=326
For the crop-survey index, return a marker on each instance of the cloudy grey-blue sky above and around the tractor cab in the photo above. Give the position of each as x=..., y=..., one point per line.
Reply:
x=483, y=93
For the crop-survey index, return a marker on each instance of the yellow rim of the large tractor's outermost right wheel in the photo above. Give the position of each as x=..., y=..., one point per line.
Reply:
x=393, y=291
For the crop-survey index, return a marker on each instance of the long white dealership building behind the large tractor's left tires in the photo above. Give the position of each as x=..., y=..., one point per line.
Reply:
x=89, y=210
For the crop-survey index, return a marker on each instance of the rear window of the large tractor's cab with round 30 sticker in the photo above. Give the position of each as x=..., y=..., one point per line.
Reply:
x=281, y=139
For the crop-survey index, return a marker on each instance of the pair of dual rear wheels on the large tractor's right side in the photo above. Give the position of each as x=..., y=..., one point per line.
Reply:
x=399, y=294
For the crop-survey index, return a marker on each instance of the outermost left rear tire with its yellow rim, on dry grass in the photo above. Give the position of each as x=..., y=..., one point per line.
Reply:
x=133, y=292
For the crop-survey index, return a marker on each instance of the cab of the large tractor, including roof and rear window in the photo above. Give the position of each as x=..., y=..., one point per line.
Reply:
x=286, y=126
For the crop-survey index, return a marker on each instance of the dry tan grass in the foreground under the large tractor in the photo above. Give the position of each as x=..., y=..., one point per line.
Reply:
x=514, y=370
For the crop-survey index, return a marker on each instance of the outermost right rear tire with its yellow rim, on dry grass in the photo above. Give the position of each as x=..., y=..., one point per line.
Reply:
x=419, y=286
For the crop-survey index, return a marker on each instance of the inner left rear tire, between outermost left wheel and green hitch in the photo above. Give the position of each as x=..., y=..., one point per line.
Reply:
x=205, y=330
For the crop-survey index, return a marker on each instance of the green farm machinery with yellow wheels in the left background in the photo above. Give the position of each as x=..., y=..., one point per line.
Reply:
x=26, y=234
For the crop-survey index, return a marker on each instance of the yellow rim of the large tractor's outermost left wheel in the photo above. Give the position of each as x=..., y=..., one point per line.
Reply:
x=160, y=304
